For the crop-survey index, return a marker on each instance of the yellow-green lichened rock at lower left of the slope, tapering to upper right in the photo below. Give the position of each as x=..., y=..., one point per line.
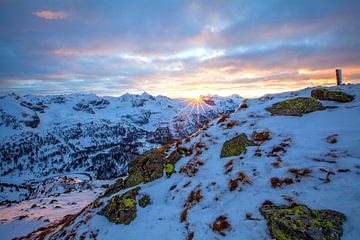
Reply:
x=121, y=209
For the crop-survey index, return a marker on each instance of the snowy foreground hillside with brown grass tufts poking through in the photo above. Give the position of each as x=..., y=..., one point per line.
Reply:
x=296, y=143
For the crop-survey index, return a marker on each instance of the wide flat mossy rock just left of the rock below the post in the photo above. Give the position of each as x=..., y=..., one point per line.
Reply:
x=296, y=107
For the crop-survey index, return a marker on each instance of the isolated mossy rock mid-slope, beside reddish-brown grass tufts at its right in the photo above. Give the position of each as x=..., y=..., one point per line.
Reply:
x=235, y=146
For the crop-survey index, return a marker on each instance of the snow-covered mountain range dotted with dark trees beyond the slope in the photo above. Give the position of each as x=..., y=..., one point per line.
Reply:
x=45, y=135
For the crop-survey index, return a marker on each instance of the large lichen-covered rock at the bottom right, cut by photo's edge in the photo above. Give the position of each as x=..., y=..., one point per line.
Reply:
x=298, y=222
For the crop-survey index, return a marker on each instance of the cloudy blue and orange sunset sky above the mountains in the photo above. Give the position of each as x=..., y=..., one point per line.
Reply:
x=176, y=48
